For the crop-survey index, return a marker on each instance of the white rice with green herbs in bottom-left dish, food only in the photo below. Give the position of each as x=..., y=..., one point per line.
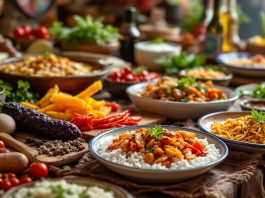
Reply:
x=62, y=189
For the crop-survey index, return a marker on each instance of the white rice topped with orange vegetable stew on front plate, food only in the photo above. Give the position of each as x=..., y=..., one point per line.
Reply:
x=158, y=148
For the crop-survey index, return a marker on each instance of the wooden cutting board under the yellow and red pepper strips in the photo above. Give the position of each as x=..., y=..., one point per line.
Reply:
x=147, y=118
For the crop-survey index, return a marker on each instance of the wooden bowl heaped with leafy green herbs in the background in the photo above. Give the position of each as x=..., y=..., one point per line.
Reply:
x=88, y=35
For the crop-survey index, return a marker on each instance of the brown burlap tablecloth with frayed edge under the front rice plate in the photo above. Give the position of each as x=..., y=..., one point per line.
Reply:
x=240, y=175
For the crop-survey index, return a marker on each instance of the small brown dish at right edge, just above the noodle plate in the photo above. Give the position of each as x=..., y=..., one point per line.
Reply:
x=253, y=104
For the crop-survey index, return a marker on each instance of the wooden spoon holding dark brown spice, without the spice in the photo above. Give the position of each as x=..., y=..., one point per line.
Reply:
x=16, y=143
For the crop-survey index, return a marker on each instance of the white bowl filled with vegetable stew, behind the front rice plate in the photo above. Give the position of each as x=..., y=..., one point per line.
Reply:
x=181, y=99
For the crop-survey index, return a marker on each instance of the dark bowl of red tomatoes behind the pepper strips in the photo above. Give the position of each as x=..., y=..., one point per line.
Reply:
x=118, y=81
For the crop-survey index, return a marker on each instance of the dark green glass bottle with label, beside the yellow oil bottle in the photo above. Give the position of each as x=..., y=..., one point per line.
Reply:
x=214, y=37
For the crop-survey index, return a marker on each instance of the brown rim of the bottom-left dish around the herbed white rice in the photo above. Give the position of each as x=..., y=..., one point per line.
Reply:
x=118, y=191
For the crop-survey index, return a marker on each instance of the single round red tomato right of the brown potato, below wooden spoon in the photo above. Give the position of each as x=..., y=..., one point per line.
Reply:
x=38, y=170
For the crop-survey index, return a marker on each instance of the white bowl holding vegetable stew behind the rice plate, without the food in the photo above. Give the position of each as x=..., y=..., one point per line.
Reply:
x=179, y=110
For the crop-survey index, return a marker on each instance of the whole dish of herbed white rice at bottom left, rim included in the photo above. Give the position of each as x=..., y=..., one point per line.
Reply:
x=68, y=187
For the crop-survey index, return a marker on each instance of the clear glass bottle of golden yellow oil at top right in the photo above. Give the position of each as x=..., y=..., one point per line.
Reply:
x=230, y=23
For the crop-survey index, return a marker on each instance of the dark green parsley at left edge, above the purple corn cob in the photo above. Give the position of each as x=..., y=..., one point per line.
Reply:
x=20, y=93
